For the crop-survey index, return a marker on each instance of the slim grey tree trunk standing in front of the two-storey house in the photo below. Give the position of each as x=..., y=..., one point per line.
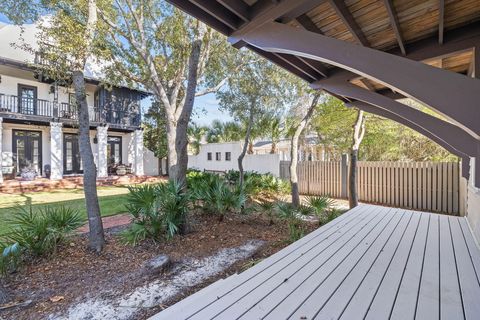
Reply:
x=96, y=234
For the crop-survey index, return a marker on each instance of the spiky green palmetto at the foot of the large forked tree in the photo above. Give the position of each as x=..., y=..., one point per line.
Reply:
x=158, y=210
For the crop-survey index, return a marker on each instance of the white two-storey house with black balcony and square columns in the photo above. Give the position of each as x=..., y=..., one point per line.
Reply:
x=38, y=119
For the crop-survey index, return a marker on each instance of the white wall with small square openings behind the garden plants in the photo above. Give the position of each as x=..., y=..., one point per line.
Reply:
x=262, y=163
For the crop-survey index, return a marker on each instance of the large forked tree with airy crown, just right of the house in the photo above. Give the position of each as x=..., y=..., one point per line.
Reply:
x=176, y=57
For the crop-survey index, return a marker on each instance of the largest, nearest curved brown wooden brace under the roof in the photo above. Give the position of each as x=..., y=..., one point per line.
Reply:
x=453, y=95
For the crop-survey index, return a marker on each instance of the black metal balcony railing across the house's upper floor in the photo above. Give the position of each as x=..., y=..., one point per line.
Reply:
x=51, y=109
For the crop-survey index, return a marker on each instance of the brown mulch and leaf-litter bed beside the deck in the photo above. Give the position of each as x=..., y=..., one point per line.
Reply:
x=75, y=273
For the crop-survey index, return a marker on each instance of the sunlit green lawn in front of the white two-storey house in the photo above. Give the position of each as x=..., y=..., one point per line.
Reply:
x=112, y=201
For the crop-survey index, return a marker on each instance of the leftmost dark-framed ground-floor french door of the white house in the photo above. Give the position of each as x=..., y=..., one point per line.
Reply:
x=27, y=149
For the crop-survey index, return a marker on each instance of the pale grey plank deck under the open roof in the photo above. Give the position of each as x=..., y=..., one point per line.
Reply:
x=372, y=262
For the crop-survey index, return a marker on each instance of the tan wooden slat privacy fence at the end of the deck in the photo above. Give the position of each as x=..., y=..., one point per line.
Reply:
x=431, y=186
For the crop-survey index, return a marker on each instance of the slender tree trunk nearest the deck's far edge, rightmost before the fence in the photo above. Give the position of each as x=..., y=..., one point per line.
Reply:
x=358, y=133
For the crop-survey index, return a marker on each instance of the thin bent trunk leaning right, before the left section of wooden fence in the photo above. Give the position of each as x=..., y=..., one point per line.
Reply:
x=294, y=150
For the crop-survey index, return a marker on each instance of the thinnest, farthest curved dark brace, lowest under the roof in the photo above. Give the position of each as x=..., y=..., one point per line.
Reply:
x=392, y=116
